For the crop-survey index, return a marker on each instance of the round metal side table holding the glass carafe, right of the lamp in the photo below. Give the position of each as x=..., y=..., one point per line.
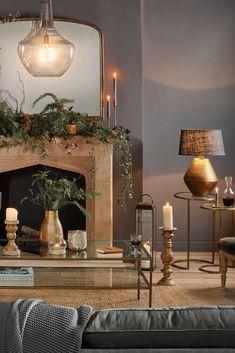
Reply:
x=217, y=211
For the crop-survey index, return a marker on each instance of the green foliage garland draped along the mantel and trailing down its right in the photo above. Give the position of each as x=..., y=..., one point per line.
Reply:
x=50, y=125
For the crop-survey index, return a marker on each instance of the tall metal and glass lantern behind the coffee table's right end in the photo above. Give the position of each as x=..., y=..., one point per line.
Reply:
x=145, y=212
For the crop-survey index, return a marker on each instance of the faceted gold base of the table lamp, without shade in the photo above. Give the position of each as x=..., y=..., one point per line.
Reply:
x=200, y=177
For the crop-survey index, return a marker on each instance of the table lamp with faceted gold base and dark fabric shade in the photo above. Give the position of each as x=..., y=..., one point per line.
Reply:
x=200, y=177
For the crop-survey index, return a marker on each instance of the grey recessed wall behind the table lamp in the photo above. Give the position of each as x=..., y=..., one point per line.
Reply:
x=188, y=82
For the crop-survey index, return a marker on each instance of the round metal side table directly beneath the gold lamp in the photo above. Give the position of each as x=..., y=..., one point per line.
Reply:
x=188, y=197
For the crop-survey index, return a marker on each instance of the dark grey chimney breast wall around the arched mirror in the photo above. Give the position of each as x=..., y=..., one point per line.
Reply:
x=120, y=21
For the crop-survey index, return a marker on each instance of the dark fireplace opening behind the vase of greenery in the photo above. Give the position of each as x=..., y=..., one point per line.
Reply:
x=14, y=187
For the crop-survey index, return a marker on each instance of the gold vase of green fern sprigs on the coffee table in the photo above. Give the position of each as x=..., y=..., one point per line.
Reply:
x=53, y=194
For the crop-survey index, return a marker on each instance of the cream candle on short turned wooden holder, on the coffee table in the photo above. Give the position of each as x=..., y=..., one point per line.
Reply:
x=11, y=249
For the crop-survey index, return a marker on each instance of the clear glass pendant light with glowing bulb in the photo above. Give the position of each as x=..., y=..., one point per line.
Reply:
x=44, y=52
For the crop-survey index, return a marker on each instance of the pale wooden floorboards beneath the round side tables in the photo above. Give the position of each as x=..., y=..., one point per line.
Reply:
x=202, y=288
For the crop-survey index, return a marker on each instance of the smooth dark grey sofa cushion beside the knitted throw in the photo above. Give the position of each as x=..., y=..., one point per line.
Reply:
x=189, y=327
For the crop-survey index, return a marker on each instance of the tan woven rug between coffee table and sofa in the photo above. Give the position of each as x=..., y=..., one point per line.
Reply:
x=102, y=298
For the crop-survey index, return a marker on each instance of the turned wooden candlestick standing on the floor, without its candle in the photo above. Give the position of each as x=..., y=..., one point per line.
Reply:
x=167, y=257
